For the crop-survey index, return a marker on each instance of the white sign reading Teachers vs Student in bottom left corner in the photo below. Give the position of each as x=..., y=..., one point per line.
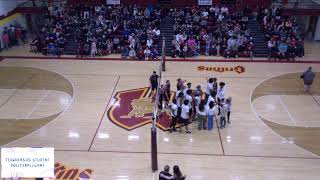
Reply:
x=27, y=162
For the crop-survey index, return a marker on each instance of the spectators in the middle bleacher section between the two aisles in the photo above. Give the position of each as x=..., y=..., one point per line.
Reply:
x=211, y=31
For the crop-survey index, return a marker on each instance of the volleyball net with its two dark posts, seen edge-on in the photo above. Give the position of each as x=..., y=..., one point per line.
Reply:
x=154, y=147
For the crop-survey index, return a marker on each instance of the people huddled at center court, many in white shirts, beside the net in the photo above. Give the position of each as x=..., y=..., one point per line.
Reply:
x=190, y=105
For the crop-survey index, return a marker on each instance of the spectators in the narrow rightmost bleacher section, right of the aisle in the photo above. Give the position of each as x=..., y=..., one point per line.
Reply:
x=282, y=33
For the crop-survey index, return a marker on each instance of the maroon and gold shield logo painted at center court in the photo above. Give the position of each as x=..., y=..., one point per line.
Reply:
x=131, y=109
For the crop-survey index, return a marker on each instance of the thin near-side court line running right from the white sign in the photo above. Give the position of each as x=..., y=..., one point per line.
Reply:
x=192, y=154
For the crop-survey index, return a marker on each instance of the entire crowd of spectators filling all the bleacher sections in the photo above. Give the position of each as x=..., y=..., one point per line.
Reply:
x=134, y=32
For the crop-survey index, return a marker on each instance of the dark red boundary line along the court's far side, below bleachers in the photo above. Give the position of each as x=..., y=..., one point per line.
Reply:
x=169, y=60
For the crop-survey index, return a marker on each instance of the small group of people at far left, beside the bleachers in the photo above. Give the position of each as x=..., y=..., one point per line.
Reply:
x=13, y=36
